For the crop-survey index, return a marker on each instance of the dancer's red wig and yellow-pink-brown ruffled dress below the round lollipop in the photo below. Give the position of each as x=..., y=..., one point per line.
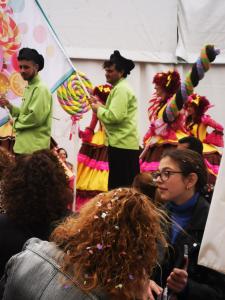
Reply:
x=93, y=169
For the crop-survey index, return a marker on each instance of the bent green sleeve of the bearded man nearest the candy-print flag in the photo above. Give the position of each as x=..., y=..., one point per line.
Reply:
x=38, y=109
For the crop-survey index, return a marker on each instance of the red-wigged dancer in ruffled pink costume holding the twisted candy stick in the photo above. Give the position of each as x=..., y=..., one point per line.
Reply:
x=161, y=135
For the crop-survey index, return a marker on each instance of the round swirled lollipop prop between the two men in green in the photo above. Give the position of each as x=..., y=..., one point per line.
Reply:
x=73, y=97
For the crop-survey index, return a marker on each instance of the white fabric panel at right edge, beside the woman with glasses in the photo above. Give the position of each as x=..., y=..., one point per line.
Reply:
x=211, y=254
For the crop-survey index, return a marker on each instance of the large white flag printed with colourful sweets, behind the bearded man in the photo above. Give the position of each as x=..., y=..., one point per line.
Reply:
x=23, y=23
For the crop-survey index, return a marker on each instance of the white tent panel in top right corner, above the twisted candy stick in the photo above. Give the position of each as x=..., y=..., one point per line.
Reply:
x=199, y=23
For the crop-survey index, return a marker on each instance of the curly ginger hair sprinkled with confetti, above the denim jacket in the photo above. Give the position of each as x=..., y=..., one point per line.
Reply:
x=112, y=244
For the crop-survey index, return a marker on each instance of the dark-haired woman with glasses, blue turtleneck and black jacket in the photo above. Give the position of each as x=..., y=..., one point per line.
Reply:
x=180, y=180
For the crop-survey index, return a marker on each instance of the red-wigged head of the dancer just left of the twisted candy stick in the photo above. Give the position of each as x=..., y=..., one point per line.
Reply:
x=166, y=83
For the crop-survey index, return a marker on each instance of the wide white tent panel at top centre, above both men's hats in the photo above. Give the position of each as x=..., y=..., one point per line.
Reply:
x=142, y=29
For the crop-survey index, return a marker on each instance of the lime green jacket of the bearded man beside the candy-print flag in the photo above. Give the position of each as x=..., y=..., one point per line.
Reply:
x=33, y=119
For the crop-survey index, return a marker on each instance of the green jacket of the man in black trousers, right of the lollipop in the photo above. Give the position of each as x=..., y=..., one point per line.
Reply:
x=119, y=117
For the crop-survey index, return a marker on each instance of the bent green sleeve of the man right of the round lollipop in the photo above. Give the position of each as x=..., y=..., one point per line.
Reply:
x=117, y=109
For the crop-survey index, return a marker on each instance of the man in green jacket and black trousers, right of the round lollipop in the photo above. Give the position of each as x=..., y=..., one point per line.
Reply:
x=119, y=116
